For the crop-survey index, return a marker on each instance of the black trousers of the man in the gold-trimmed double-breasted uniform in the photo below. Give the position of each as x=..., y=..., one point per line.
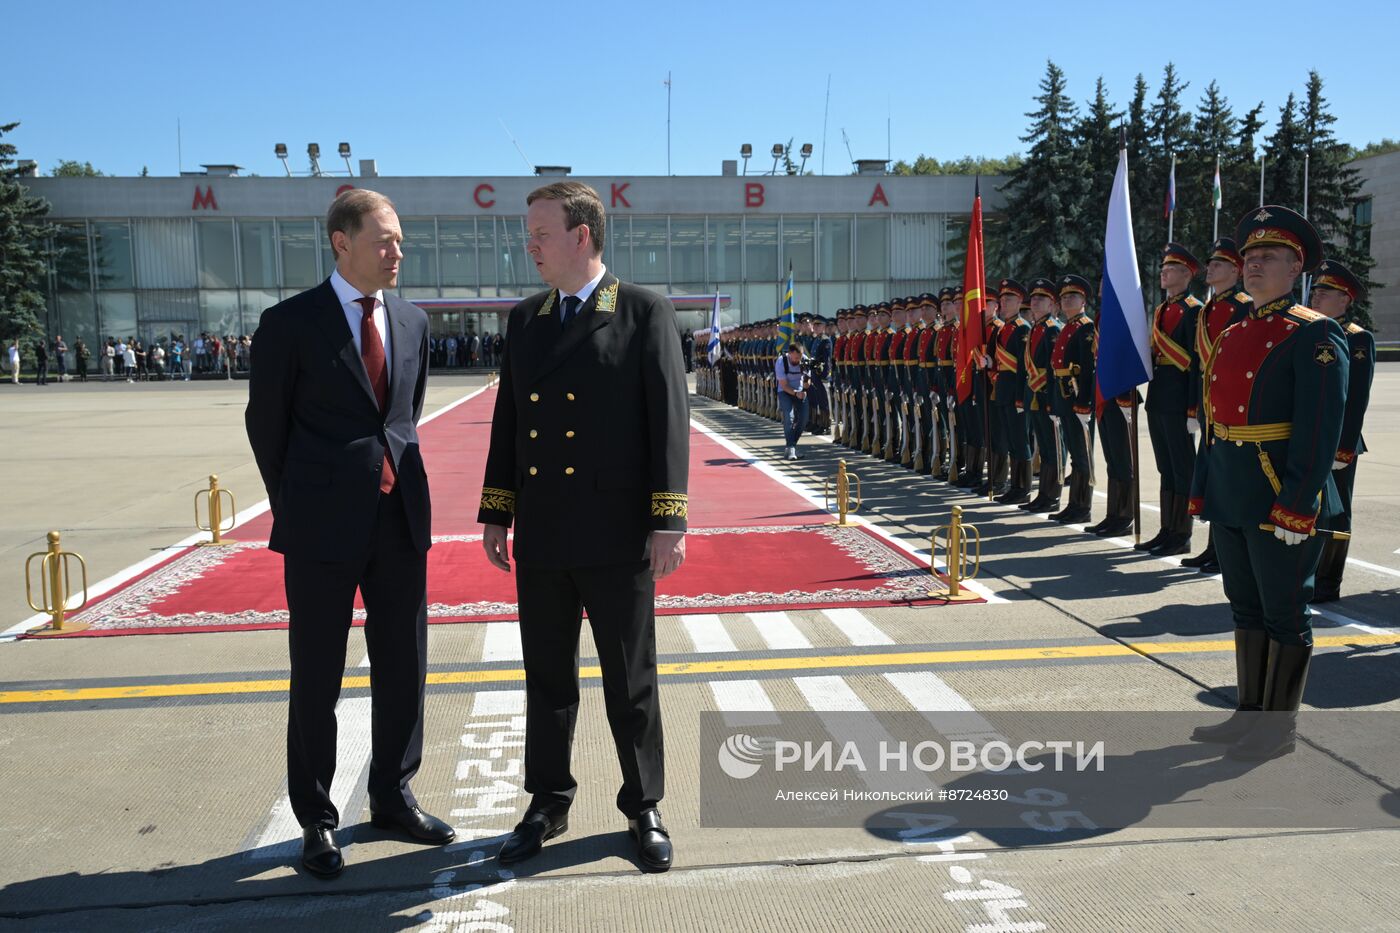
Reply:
x=621, y=604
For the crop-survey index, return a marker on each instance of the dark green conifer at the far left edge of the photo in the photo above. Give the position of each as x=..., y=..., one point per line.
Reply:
x=23, y=236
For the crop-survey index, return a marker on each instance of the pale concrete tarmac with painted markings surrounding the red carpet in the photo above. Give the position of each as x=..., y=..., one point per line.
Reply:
x=145, y=775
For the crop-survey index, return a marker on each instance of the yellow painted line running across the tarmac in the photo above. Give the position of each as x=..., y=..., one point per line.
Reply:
x=717, y=666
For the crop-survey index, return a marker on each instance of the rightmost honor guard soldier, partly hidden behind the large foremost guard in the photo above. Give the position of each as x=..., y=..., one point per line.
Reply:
x=1333, y=293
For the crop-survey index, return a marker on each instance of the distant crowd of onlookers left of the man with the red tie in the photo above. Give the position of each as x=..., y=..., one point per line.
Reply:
x=167, y=358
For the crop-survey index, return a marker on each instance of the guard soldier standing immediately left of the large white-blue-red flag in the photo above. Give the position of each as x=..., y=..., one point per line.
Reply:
x=1072, y=368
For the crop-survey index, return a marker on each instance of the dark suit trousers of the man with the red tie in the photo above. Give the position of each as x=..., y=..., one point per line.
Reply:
x=393, y=581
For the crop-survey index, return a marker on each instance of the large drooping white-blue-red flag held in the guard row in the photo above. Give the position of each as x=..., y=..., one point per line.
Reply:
x=1123, y=334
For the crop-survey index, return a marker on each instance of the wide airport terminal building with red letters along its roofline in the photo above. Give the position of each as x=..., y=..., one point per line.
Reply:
x=211, y=251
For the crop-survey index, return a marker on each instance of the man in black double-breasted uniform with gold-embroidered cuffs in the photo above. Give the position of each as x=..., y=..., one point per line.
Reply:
x=590, y=438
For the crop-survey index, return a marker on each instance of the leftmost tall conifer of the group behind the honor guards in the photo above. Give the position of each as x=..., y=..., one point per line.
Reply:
x=1046, y=191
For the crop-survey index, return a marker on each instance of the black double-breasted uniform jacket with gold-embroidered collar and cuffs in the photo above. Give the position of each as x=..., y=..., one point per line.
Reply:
x=591, y=434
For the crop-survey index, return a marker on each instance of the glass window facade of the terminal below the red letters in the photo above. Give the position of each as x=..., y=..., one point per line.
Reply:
x=148, y=278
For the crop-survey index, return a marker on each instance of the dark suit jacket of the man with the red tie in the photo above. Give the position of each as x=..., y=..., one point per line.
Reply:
x=317, y=431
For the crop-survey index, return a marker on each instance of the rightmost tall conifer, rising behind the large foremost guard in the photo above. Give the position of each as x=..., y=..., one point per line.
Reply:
x=1333, y=187
